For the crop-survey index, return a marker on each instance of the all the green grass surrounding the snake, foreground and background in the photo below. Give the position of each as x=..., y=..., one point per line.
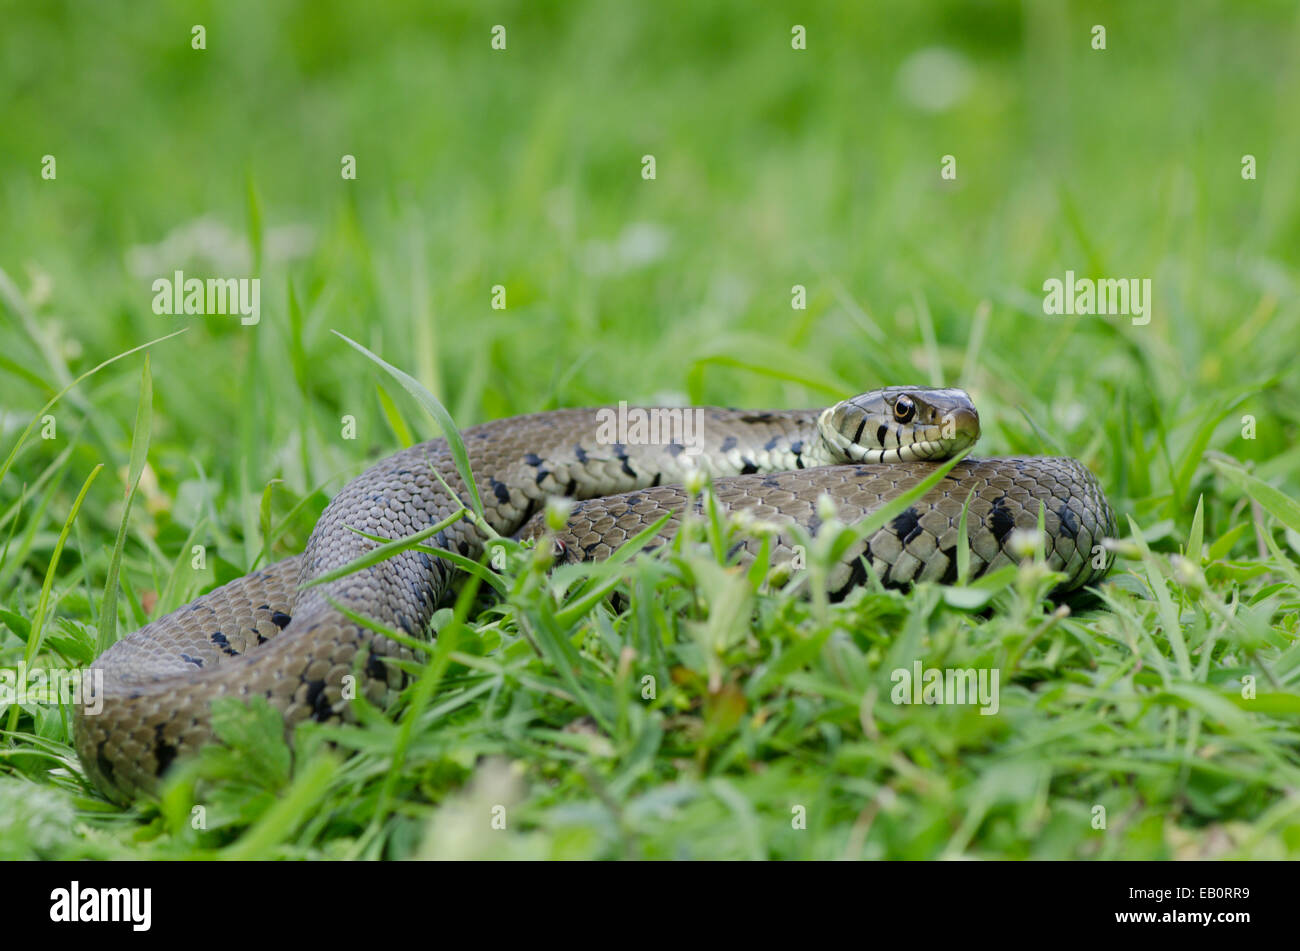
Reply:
x=775, y=168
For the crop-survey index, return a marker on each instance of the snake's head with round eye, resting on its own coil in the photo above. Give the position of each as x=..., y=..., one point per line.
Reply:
x=900, y=424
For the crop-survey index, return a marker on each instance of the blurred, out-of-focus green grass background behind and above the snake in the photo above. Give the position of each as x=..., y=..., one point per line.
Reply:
x=523, y=168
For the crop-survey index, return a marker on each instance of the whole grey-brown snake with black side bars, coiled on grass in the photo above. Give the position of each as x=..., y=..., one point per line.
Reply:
x=267, y=636
